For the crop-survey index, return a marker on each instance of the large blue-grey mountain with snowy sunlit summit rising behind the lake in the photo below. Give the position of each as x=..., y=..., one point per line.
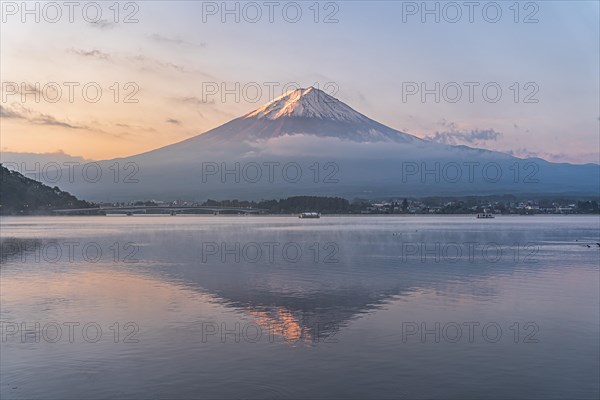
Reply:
x=336, y=151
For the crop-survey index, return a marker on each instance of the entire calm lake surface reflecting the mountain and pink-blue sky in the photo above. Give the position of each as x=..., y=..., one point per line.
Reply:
x=279, y=307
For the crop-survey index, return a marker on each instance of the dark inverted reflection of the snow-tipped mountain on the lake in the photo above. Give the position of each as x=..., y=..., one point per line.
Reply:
x=311, y=296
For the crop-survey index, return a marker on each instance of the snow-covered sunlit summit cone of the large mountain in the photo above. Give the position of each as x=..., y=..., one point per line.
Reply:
x=307, y=103
